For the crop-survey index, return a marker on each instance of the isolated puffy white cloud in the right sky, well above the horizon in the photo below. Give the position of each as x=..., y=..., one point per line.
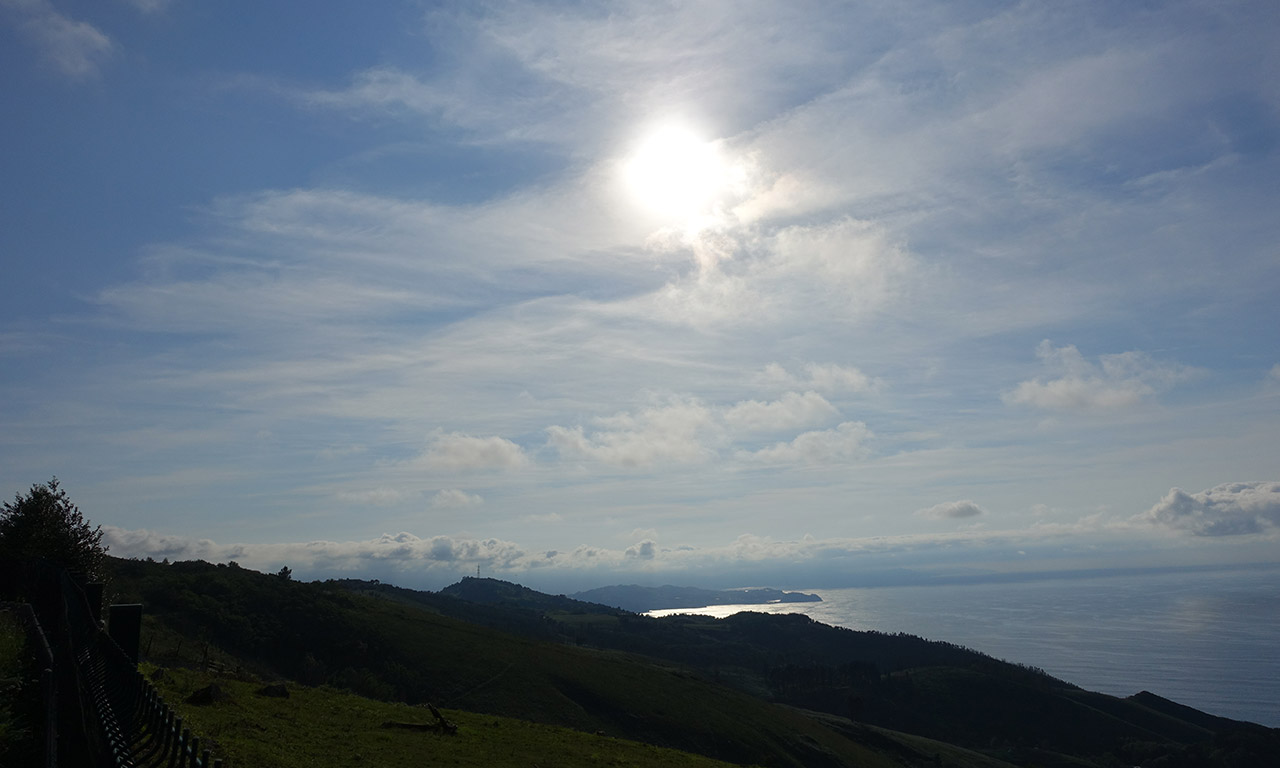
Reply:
x=1117, y=382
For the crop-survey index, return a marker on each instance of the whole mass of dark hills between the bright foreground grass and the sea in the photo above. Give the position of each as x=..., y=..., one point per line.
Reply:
x=751, y=689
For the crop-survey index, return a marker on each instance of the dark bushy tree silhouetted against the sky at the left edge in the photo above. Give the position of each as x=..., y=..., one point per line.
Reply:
x=47, y=524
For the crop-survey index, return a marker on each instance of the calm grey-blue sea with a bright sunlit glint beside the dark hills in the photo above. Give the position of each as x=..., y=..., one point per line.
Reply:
x=1205, y=638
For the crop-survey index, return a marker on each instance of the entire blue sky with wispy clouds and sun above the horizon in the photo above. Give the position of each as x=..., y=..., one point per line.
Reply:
x=584, y=294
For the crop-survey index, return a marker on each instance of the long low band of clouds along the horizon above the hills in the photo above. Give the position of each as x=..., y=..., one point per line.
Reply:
x=415, y=561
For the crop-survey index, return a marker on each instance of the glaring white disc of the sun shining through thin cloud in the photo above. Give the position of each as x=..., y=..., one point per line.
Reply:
x=676, y=175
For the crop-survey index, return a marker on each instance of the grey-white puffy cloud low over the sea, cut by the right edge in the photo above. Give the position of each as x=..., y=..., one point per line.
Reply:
x=1233, y=509
